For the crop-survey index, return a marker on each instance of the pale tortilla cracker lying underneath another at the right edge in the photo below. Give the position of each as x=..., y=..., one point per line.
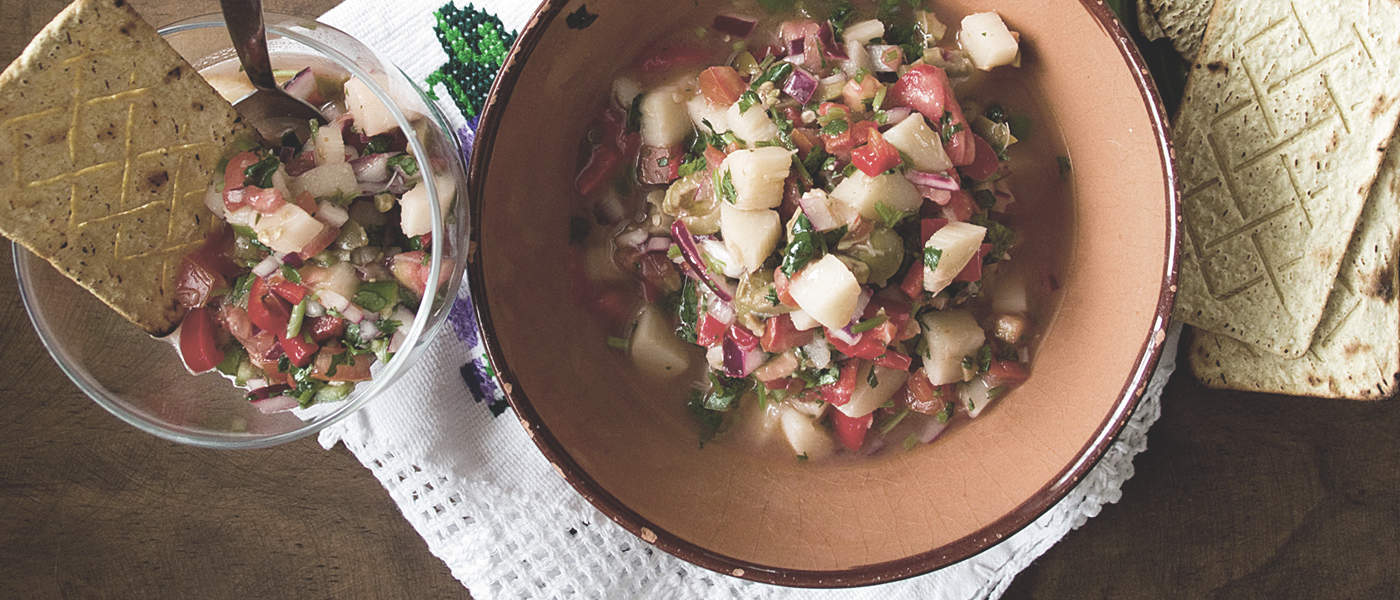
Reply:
x=1356, y=352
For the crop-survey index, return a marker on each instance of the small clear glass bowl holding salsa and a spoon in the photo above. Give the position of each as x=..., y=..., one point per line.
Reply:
x=142, y=380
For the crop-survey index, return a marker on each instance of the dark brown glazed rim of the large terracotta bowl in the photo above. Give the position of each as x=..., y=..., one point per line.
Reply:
x=863, y=576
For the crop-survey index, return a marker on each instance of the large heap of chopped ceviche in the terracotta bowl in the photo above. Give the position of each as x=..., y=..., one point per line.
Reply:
x=813, y=199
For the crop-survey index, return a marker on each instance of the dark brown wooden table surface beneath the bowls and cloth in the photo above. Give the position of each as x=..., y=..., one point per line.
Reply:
x=1238, y=496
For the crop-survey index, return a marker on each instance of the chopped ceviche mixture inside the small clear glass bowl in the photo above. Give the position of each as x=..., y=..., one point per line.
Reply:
x=323, y=255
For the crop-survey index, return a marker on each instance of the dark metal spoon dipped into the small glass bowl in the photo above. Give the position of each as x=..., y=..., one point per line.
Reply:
x=269, y=107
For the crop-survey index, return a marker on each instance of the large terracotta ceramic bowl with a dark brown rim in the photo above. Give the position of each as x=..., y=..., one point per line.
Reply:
x=622, y=444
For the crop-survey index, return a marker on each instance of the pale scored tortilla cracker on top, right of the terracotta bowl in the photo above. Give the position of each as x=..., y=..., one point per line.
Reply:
x=1286, y=121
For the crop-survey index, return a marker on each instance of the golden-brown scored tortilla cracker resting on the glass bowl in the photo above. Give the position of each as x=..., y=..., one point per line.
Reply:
x=108, y=142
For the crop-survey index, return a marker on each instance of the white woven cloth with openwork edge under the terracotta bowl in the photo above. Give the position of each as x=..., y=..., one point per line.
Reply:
x=509, y=527
